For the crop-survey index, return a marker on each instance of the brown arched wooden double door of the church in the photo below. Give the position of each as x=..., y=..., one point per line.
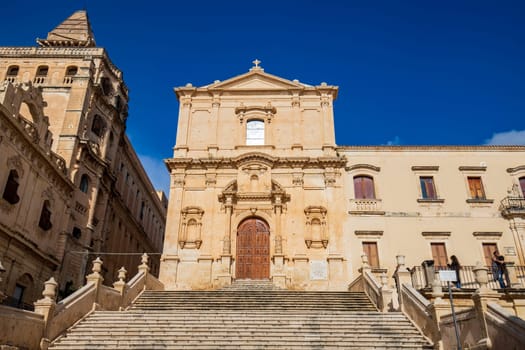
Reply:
x=253, y=249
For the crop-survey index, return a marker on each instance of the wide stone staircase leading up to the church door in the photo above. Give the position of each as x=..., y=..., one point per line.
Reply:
x=245, y=315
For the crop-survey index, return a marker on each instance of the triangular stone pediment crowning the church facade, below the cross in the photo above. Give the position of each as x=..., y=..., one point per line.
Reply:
x=256, y=79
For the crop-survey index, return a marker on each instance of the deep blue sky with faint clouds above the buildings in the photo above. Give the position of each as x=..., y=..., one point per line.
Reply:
x=409, y=72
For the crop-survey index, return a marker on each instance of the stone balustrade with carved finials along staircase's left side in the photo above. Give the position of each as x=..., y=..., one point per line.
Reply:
x=51, y=319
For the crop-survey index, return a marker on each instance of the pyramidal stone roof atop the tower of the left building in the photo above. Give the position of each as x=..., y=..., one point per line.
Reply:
x=74, y=31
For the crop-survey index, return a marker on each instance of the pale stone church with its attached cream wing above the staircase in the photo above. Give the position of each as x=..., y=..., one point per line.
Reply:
x=260, y=190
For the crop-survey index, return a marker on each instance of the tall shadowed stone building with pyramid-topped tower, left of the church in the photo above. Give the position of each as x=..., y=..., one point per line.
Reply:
x=71, y=184
